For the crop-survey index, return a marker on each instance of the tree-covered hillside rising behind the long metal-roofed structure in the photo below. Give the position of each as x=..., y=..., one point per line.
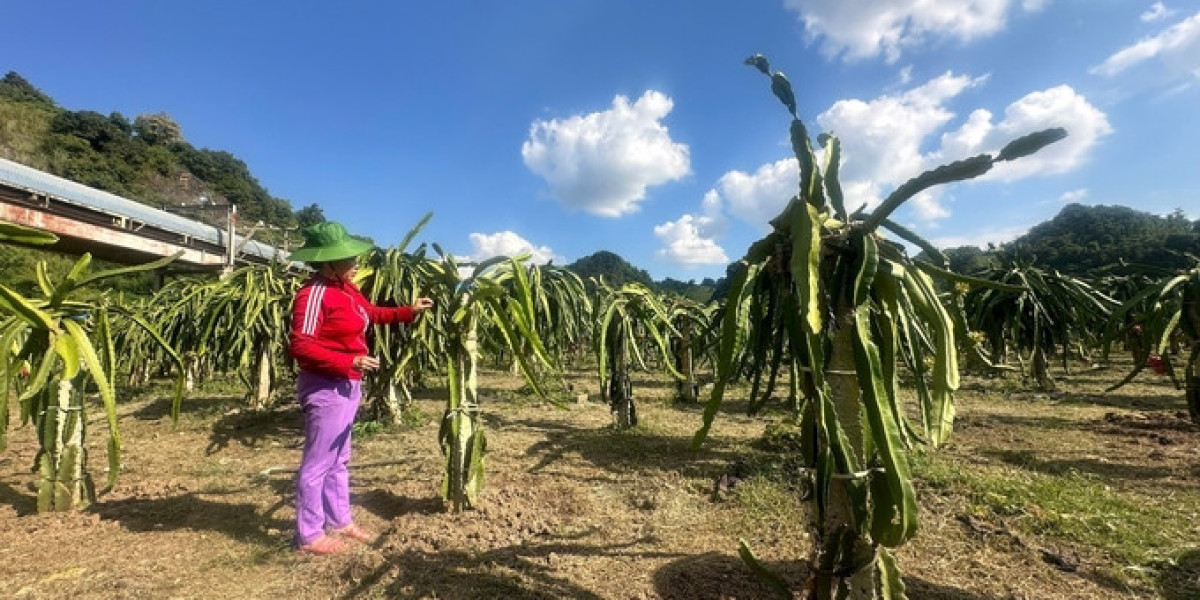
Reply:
x=146, y=160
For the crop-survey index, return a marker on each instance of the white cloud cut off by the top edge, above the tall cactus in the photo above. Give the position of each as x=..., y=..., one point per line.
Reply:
x=865, y=29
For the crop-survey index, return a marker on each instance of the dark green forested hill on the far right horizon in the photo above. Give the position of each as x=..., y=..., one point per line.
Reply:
x=1083, y=239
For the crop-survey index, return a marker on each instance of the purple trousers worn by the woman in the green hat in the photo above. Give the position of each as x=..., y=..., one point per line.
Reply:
x=323, y=484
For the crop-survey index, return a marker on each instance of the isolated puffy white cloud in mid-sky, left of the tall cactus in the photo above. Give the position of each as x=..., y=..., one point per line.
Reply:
x=603, y=163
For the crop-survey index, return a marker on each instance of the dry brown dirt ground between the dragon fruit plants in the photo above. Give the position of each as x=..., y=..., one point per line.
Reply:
x=572, y=508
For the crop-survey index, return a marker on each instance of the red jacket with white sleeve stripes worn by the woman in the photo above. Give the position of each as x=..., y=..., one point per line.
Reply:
x=329, y=326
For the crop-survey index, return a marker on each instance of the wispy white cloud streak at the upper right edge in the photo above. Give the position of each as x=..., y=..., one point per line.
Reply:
x=1177, y=50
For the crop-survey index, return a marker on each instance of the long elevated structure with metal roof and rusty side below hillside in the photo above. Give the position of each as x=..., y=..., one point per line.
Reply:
x=32, y=190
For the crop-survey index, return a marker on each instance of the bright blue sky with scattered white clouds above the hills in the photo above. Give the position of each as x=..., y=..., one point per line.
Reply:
x=571, y=127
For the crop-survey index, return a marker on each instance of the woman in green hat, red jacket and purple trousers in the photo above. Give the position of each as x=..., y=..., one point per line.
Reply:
x=329, y=325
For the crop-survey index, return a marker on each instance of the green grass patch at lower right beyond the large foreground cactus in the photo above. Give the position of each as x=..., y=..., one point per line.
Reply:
x=1132, y=529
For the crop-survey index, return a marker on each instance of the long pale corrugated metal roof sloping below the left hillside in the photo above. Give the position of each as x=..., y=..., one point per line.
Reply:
x=33, y=181
